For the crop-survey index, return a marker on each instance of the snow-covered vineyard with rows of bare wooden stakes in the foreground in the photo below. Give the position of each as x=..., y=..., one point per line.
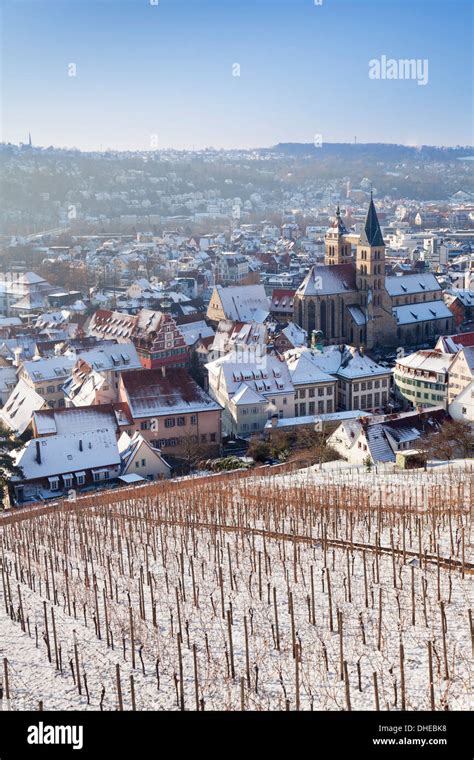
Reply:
x=325, y=590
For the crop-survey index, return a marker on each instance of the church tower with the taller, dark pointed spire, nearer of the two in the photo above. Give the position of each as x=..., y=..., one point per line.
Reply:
x=370, y=280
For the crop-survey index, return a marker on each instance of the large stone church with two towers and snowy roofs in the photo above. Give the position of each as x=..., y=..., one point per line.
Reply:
x=353, y=301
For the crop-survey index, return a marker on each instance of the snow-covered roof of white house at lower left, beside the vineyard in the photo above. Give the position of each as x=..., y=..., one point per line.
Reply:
x=68, y=453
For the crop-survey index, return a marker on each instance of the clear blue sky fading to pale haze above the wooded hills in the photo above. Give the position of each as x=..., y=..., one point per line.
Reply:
x=190, y=74
